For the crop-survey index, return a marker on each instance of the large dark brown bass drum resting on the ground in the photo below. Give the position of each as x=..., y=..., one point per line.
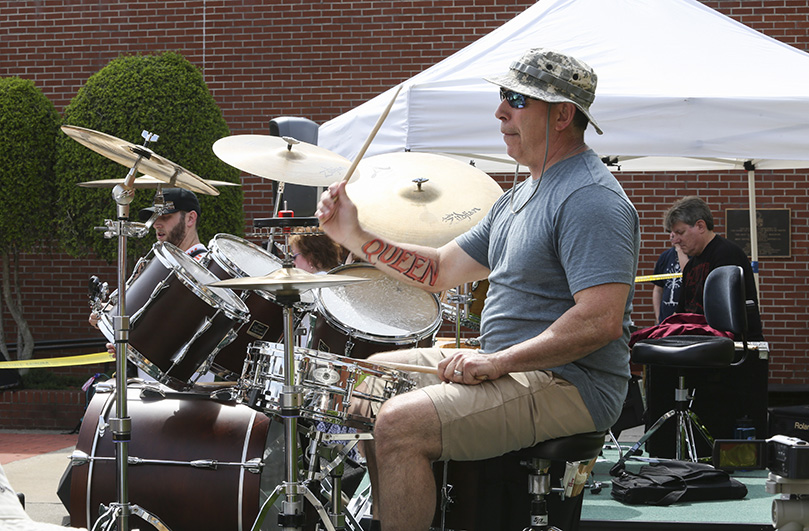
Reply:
x=245, y=447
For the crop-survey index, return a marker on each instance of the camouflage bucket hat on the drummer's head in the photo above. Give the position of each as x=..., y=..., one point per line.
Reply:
x=554, y=77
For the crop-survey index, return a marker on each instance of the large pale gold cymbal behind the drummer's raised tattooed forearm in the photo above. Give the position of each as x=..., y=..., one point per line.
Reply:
x=421, y=198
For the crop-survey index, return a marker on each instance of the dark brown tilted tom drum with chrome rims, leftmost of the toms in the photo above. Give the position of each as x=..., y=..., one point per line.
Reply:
x=178, y=322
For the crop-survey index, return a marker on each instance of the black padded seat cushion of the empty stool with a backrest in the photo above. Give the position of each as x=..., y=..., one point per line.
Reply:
x=696, y=352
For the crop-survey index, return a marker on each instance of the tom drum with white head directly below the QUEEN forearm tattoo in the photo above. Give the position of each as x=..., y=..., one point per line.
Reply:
x=363, y=318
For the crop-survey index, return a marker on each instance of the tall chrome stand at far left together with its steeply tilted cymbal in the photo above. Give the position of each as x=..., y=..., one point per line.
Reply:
x=135, y=157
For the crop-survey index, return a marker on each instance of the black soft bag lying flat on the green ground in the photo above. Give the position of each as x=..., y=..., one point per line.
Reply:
x=670, y=482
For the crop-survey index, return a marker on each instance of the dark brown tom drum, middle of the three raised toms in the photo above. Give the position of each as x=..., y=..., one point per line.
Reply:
x=233, y=257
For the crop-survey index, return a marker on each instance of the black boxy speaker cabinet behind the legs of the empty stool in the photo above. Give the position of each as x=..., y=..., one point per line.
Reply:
x=724, y=399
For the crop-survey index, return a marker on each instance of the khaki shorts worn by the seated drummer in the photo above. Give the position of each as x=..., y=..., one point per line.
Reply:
x=498, y=416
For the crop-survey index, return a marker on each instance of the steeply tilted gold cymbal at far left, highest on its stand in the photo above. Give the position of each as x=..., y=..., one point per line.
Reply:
x=126, y=153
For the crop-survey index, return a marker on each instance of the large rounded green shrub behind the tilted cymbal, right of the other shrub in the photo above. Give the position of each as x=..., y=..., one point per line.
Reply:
x=165, y=95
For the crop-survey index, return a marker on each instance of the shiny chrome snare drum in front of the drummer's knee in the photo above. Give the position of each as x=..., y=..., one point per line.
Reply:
x=330, y=383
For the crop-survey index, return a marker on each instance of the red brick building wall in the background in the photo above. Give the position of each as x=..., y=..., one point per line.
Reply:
x=319, y=59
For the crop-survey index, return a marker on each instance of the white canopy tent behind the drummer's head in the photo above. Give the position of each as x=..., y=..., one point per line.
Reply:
x=680, y=87
